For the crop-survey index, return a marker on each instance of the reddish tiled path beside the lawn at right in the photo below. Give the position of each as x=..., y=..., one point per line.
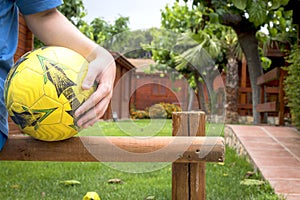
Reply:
x=276, y=153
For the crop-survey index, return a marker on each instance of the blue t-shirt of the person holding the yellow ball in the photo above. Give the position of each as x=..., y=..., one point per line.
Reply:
x=9, y=10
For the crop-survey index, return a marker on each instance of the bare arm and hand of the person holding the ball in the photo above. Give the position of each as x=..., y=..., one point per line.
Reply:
x=52, y=28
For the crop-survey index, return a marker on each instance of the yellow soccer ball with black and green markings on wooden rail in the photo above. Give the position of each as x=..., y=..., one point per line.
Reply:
x=43, y=90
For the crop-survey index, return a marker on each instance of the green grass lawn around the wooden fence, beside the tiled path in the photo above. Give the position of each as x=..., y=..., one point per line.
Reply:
x=45, y=180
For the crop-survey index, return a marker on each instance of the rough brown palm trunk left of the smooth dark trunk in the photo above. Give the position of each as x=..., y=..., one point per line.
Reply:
x=232, y=79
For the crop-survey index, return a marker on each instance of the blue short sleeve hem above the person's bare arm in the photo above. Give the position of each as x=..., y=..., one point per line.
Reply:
x=35, y=6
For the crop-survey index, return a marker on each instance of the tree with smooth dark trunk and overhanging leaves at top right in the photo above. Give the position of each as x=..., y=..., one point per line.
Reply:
x=246, y=18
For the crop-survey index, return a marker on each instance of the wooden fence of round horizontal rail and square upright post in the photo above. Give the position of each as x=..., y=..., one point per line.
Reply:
x=188, y=150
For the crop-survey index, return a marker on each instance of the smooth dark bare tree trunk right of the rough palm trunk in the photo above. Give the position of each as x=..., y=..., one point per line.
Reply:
x=249, y=44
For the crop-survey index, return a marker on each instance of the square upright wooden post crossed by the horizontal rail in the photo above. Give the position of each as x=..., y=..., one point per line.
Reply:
x=188, y=179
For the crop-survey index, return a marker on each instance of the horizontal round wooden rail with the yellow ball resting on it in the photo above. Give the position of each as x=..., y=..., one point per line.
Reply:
x=114, y=149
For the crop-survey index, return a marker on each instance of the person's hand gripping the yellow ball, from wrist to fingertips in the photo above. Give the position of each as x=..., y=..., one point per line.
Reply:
x=102, y=69
